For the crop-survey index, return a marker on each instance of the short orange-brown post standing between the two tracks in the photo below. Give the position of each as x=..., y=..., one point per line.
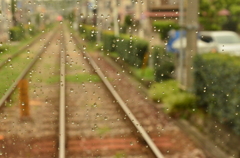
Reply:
x=23, y=98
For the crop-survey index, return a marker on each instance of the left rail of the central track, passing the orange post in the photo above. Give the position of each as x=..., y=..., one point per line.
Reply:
x=26, y=70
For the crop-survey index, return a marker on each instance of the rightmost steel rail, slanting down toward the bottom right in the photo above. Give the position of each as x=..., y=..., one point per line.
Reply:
x=125, y=108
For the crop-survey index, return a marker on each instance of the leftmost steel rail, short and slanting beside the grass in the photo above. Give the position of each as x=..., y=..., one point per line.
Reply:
x=21, y=50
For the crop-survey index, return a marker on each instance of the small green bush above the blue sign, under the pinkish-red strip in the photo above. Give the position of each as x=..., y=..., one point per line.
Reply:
x=165, y=27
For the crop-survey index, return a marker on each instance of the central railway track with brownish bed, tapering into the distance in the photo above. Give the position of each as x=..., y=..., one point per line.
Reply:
x=74, y=112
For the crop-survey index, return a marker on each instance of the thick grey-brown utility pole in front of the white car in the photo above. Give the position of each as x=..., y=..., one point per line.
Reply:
x=191, y=49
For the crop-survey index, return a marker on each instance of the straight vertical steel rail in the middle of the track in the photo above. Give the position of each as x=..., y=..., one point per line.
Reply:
x=62, y=110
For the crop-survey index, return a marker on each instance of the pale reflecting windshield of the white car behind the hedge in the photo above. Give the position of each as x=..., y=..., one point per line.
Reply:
x=229, y=39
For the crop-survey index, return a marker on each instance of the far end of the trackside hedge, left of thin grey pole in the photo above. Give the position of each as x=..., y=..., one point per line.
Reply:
x=88, y=32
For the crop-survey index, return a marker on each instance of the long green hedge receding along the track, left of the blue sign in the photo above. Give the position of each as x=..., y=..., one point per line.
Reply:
x=131, y=49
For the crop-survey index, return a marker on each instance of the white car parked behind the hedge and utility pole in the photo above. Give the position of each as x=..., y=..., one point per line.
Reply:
x=215, y=41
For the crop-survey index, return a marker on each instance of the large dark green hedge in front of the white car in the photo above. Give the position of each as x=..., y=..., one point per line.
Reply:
x=217, y=83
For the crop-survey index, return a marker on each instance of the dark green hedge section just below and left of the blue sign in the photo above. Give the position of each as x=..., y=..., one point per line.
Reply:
x=163, y=63
